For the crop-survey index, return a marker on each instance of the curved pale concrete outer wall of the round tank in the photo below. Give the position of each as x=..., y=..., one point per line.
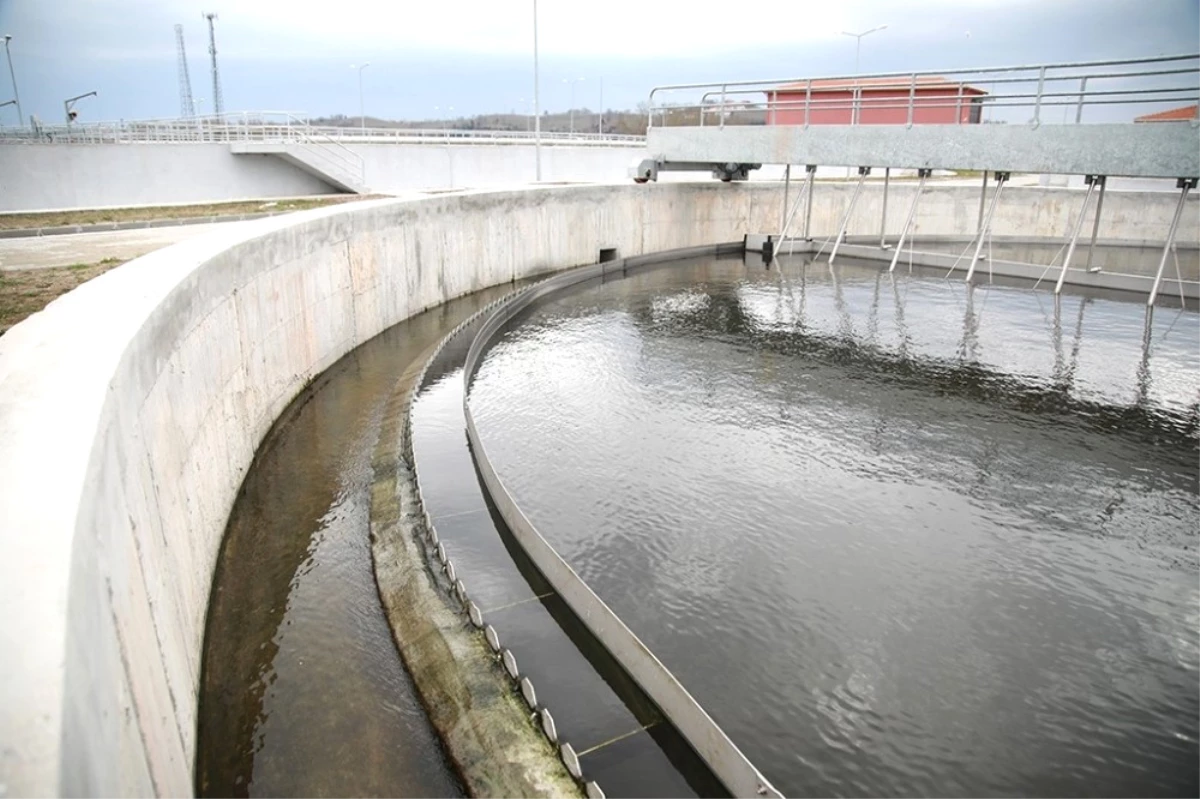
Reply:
x=131, y=408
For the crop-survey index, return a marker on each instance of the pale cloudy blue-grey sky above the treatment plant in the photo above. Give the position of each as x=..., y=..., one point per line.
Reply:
x=476, y=56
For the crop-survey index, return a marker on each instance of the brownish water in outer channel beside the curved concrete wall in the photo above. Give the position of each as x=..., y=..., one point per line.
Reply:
x=304, y=693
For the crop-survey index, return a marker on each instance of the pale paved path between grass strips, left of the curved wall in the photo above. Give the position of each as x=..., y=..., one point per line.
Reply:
x=45, y=253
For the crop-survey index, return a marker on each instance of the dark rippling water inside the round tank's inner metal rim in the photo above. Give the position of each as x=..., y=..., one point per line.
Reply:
x=897, y=536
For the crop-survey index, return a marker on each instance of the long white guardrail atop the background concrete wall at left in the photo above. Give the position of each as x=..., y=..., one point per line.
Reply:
x=280, y=127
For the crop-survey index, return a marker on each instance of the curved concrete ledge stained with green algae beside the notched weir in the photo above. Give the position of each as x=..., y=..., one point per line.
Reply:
x=488, y=730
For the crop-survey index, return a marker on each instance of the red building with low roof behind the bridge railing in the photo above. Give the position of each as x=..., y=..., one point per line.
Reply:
x=875, y=101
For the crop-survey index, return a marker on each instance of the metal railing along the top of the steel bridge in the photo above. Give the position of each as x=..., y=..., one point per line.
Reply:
x=1101, y=92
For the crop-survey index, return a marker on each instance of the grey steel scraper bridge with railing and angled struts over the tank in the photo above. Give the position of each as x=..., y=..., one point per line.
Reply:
x=1069, y=119
